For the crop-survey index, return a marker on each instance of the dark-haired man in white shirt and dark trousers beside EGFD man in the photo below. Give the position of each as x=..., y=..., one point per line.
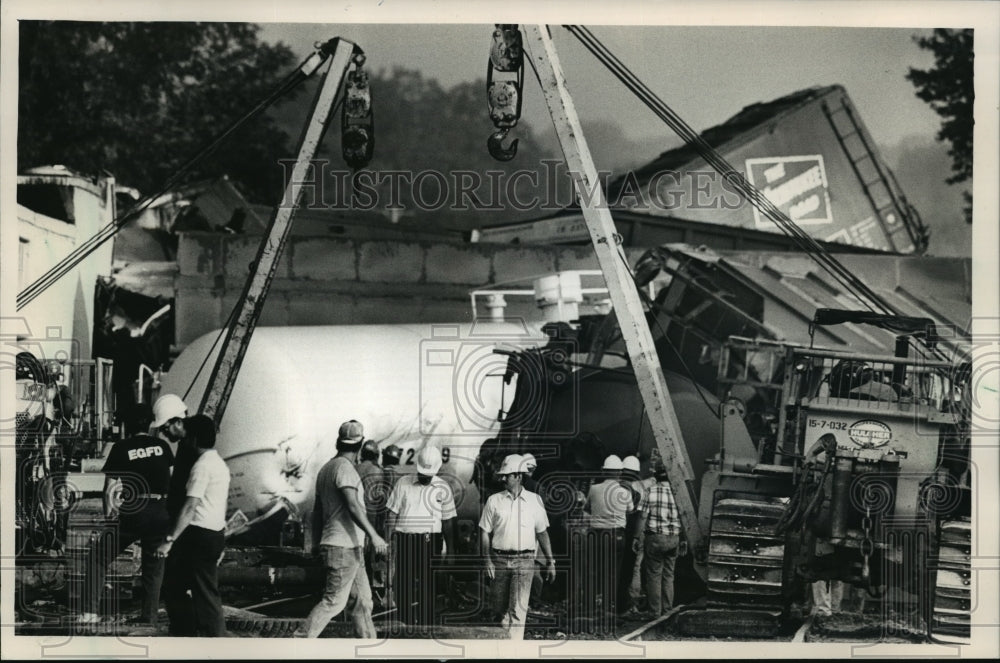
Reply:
x=197, y=540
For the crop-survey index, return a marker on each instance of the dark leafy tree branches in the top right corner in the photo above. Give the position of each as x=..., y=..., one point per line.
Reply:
x=948, y=88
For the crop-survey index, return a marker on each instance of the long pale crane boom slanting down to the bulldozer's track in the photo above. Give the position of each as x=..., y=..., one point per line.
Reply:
x=621, y=287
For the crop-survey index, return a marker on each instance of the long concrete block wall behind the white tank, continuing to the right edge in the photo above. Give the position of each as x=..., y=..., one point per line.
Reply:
x=328, y=281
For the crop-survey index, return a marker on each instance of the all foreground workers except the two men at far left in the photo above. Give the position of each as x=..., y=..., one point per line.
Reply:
x=364, y=513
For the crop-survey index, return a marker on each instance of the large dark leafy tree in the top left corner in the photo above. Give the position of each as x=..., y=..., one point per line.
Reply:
x=139, y=99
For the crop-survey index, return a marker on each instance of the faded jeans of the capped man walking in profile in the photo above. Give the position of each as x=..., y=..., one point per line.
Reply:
x=345, y=578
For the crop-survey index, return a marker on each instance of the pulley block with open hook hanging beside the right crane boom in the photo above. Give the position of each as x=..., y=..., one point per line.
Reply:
x=504, y=95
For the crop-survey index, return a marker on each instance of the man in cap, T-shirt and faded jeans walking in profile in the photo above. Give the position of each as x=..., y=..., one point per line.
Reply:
x=339, y=526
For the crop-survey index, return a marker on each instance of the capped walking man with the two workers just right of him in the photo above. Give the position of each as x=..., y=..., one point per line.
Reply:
x=365, y=513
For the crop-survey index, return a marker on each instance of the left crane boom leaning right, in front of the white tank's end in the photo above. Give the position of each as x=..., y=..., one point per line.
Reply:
x=251, y=302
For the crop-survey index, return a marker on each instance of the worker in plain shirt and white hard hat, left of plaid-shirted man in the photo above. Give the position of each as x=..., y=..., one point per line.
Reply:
x=608, y=503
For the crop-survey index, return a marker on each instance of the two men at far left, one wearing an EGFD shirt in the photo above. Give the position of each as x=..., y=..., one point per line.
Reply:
x=175, y=507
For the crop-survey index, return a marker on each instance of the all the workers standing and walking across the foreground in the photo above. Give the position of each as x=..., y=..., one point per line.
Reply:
x=373, y=525
